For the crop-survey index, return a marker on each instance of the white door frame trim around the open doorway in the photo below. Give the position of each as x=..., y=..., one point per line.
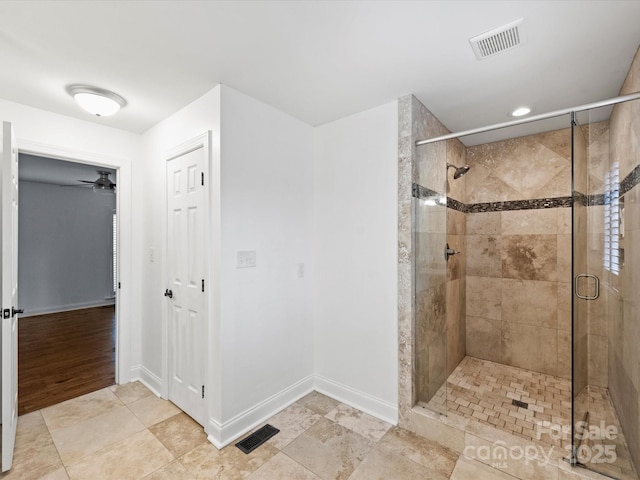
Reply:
x=124, y=297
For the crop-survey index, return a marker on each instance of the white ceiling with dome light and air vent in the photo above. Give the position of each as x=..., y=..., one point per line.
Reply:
x=316, y=60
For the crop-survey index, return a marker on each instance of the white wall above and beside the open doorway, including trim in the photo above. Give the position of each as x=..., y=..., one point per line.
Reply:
x=52, y=135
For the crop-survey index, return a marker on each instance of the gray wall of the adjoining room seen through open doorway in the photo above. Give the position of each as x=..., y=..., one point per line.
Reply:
x=65, y=248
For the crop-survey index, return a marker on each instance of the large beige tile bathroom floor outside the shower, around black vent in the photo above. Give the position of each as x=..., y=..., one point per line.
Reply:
x=126, y=433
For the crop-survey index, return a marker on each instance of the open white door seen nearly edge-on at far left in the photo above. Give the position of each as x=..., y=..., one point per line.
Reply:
x=9, y=264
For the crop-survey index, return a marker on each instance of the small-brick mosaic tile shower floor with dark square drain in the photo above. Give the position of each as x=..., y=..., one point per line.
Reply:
x=530, y=405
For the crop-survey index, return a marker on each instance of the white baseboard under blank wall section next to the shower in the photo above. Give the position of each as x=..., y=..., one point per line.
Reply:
x=362, y=401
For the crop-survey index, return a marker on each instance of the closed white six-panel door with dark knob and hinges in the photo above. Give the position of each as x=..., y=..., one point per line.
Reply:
x=187, y=327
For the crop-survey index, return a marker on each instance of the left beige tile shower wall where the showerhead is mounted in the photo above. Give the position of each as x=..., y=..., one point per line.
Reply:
x=438, y=329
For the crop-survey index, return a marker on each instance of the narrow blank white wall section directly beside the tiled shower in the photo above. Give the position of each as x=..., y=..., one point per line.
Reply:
x=355, y=237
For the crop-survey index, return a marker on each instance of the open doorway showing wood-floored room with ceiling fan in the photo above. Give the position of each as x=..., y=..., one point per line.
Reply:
x=67, y=281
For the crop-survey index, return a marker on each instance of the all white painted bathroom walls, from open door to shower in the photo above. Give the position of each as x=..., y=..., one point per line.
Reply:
x=284, y=189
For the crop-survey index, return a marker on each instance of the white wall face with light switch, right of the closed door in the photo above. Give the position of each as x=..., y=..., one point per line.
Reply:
x=266, y=207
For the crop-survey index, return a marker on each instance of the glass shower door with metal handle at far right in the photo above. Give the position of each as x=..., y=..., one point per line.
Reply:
x=606, y=319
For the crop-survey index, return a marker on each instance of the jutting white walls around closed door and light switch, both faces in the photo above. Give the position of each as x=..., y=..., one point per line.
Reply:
x=261, y=340
